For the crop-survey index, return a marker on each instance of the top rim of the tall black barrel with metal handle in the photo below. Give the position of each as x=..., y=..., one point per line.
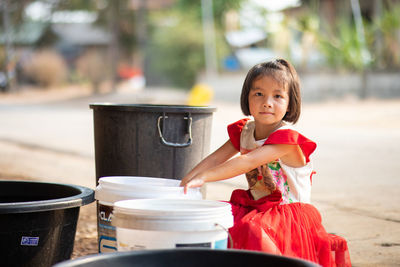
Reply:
x=153, y=108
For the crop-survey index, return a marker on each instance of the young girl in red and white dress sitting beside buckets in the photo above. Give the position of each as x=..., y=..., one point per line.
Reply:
x=274, y=214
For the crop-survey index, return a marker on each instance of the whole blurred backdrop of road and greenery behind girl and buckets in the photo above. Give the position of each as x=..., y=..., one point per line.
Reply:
x=57, y=56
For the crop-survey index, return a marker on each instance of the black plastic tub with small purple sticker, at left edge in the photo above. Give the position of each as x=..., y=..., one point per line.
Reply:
x=38, y=221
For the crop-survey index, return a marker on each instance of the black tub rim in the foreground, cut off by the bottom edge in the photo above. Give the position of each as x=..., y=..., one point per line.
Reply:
x=186, y=257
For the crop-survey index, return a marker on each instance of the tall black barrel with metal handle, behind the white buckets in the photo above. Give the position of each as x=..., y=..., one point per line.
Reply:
x=150, y=140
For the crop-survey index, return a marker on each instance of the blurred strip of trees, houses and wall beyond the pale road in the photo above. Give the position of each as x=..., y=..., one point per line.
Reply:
x=101, y=44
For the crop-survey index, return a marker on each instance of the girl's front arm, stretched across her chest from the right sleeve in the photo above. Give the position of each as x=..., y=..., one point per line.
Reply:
x=238, y=165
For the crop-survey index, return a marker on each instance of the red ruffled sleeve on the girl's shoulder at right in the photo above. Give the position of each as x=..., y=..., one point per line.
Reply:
x=292, y=137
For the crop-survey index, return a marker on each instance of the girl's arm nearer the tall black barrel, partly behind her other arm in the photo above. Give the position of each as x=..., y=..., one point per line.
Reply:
x=222, y=154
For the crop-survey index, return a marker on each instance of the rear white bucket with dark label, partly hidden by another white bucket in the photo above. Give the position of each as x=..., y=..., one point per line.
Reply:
x=116, y=188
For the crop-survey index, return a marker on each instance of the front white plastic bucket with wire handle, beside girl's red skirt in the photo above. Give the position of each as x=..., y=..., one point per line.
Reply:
x=171, y=223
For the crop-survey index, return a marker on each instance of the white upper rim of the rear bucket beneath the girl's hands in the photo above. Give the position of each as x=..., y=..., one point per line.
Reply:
x=115, y=188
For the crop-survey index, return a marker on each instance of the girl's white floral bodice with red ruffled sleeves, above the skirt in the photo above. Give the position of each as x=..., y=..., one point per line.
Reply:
x=293, y=182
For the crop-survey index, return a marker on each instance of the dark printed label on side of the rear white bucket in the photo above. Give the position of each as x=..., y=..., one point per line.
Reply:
x=106, y=232
